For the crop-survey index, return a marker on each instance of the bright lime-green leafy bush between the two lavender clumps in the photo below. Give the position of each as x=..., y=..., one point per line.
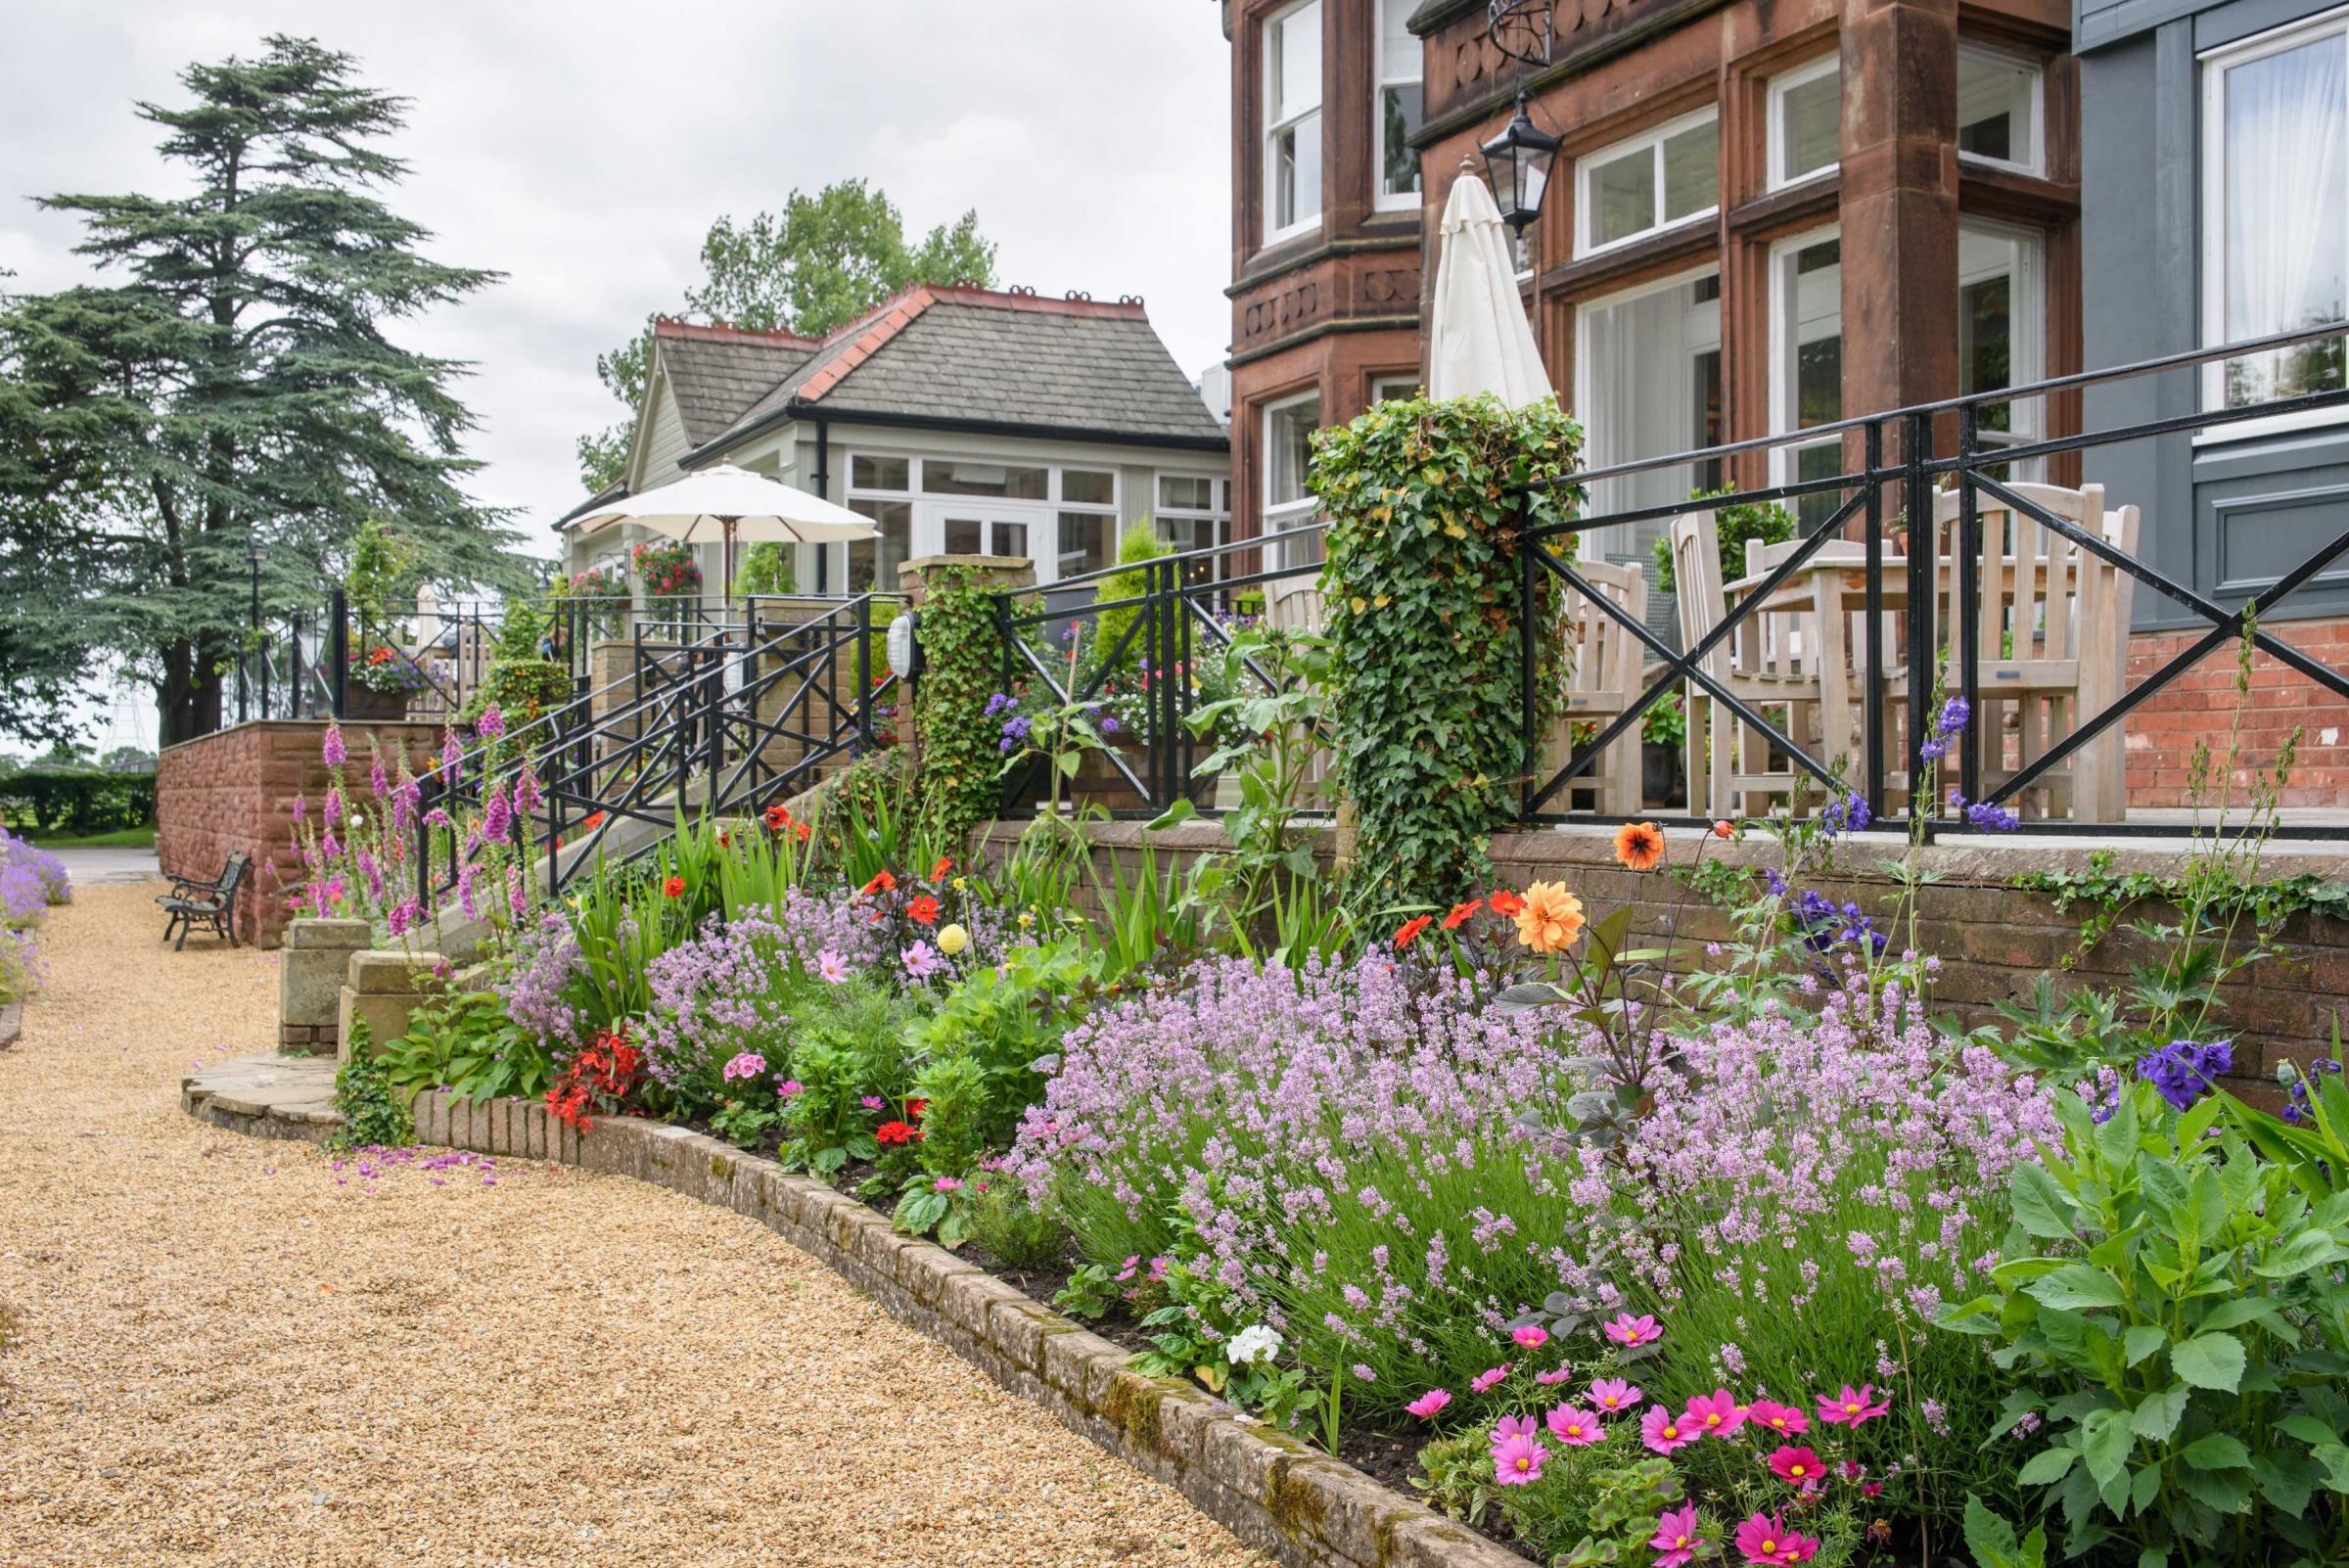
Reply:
x=978, y=1055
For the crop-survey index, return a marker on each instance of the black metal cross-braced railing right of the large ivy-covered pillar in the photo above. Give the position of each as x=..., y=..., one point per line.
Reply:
x=1906, y=464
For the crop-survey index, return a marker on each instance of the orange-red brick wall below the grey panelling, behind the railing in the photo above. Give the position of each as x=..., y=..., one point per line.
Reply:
x=2200, y=705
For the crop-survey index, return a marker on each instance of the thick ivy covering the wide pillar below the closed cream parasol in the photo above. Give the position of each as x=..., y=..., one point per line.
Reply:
x=1422, y=611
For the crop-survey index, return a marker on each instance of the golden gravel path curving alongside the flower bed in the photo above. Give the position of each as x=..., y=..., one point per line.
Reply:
x=231, y=1353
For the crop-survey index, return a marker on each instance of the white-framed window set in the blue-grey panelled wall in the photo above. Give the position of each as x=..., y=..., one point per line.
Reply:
x=2277, y=212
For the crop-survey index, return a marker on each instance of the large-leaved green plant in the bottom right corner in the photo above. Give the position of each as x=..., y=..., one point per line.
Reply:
x=2174, y=1311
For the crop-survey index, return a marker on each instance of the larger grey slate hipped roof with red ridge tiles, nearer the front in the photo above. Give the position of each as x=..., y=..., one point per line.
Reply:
x=983, y=358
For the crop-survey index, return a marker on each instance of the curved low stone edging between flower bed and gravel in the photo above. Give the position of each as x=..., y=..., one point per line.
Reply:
x=1265, y=1487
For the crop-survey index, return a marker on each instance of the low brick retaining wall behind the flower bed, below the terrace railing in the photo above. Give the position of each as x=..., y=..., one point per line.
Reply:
x=1993, y=940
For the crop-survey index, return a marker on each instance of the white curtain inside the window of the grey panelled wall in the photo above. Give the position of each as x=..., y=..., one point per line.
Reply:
x=2287, y=224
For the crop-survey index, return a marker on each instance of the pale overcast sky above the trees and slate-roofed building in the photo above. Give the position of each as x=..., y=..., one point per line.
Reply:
x=584, y=147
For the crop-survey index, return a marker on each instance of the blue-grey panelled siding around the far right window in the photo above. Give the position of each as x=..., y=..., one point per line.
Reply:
x=2226, y=518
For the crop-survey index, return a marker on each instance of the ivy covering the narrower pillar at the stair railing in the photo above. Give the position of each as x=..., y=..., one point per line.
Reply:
x=962, y=771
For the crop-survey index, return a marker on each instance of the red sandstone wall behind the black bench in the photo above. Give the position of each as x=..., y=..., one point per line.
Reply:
x=236, y=790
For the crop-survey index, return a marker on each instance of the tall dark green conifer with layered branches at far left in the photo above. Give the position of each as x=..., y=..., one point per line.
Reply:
x=234, y=388
